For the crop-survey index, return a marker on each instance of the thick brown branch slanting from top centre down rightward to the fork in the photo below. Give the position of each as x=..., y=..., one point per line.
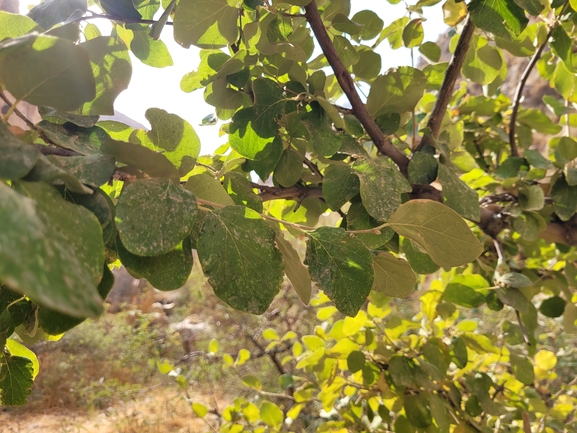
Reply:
x=348, y=85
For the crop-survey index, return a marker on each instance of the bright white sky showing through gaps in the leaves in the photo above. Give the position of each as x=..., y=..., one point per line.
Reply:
x=153, y=87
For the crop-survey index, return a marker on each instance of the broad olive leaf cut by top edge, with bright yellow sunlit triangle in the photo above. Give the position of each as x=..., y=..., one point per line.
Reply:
x=205, y=23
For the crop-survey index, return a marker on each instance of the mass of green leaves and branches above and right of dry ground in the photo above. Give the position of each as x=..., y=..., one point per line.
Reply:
x=425, y=172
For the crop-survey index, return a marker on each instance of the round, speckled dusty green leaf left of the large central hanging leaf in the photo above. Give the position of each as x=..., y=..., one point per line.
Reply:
x=154, y=216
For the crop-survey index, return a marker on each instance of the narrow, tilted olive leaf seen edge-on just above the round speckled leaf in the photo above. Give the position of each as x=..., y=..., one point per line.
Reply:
x=141, y=158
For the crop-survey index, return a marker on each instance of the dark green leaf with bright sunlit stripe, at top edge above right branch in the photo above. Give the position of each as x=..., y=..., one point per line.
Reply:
x=501, y=17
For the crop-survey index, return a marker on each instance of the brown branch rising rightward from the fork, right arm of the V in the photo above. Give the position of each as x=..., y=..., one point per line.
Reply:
x=446, y=90
